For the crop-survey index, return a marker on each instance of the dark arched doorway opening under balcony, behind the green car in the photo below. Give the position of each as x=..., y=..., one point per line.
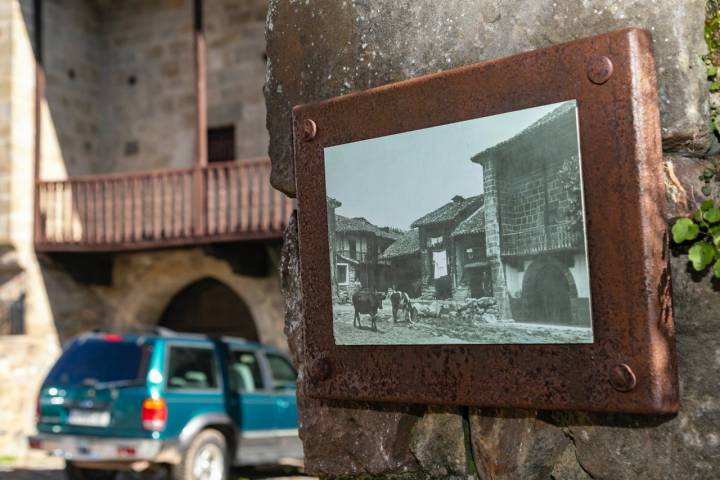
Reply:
x=209, y=306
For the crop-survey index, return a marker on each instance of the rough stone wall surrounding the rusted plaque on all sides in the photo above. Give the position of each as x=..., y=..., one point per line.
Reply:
x=325, y=48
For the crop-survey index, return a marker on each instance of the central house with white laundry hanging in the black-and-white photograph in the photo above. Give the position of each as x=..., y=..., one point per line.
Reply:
x=439, y=268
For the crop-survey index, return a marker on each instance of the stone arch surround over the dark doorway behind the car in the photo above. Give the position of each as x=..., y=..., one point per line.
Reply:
x=145, y=284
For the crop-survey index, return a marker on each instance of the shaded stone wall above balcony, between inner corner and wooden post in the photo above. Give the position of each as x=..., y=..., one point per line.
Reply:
x=148, y=99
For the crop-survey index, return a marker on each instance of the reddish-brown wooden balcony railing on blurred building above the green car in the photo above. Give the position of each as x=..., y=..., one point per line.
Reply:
x=221, y=202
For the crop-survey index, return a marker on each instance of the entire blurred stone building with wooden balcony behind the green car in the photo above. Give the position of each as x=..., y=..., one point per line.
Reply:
x=141, y=125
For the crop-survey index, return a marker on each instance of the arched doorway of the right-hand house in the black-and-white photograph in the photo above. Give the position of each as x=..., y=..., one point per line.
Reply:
x=548, y=292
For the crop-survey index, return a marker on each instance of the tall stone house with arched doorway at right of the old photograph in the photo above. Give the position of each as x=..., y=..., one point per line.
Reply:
x=534, y=223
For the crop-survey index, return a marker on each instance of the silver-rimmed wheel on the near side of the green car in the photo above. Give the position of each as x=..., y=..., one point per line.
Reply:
x=205, y=459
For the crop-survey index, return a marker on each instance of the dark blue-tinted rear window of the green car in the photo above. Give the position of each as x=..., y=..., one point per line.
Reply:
x=93, y=361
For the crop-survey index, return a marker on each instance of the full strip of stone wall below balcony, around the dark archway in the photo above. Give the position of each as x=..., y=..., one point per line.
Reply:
x=143, y=284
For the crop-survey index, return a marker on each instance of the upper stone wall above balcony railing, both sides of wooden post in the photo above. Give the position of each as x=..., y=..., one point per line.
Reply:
x=121, y=83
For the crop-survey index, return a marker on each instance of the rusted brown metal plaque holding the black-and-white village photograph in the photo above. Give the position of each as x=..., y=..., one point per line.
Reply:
x=628, y=362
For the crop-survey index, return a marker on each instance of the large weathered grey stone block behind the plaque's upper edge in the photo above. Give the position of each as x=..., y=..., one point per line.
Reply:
x=324, y=48
